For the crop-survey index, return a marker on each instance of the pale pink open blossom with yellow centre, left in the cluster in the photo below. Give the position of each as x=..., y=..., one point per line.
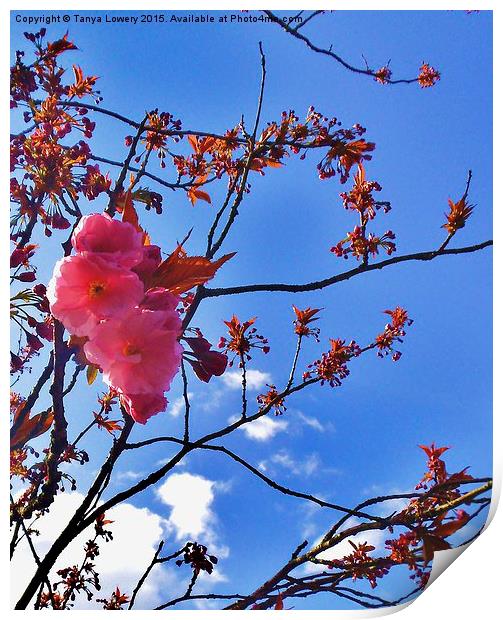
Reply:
x=84, y=291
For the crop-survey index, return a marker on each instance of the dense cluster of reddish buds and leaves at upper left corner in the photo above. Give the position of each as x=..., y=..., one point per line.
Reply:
x=54, y=175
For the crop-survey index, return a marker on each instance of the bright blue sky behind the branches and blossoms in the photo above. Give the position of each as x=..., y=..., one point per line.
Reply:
x=361, y=439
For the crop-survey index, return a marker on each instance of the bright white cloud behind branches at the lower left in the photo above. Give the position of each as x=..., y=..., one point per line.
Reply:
x=136, y=535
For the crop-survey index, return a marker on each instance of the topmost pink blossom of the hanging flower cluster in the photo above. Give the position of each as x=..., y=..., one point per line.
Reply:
x=115, y=241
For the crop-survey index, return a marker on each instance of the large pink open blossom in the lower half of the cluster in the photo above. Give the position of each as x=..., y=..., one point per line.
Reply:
x=137, y=353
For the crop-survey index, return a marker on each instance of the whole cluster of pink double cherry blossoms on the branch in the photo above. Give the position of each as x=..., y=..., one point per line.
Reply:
x=132, y=331
